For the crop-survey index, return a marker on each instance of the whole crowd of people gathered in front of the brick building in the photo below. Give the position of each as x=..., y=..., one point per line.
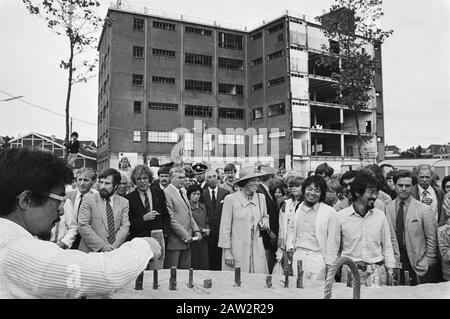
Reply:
x=260, y=219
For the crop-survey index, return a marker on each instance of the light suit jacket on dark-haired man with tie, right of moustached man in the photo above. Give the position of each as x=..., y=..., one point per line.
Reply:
x=420, y=234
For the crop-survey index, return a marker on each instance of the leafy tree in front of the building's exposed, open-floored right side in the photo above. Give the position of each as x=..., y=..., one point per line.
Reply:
x=352, y=25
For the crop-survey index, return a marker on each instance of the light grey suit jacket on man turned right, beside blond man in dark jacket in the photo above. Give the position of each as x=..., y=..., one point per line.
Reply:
x=182, y=223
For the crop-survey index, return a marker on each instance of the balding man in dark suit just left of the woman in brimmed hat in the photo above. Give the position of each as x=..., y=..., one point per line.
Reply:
x=212, y=197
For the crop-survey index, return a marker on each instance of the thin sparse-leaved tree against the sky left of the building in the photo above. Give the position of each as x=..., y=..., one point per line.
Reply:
x=77, y=21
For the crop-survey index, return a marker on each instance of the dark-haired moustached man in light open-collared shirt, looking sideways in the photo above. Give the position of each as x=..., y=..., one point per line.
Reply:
x=365, y=232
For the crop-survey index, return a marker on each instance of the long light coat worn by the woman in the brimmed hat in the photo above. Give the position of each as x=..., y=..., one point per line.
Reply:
x=235, y=231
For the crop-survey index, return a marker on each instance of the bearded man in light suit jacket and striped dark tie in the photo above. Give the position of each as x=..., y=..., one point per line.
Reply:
x=103, y=218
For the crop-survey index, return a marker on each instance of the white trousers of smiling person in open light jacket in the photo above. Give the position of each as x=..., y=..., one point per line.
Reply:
x=313, y=264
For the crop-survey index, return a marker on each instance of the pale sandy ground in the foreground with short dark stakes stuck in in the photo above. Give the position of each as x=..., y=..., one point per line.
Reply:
x=253, y=286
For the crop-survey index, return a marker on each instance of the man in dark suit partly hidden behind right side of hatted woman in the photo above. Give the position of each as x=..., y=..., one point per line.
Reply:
x=270, y=236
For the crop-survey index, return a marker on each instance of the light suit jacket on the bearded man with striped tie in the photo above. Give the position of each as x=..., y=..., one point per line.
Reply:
x=93, y=222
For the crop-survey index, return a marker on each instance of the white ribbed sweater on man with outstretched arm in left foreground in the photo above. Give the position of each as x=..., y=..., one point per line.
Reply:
x=33, y=268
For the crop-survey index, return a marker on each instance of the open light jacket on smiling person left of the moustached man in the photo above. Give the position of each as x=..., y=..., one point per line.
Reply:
x=327, y=232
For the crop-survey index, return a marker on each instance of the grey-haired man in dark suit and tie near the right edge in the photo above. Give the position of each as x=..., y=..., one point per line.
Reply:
x=427, y=193
